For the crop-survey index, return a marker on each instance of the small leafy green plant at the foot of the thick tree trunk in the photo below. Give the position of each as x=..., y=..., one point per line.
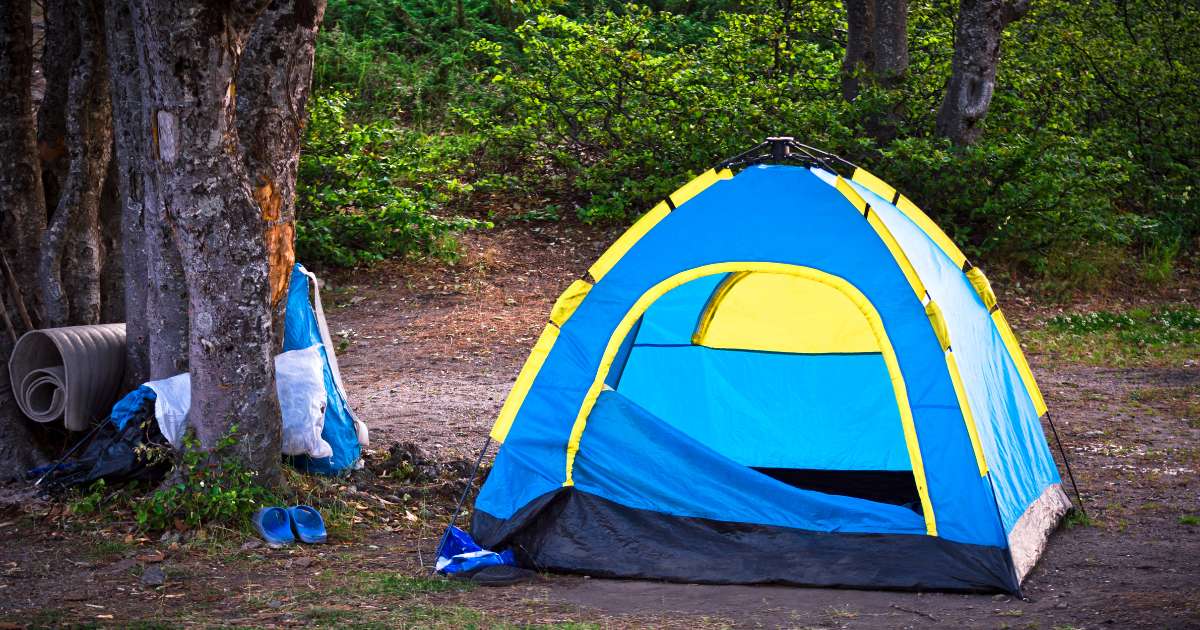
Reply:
x=207, y=490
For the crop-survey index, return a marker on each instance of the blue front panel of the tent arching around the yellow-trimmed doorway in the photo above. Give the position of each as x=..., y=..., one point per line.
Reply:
x=765, y=214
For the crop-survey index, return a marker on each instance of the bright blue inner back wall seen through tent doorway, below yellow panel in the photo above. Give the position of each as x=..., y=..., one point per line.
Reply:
x=772, y=410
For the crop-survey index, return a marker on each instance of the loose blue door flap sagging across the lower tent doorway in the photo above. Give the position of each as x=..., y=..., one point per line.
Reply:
x=634, y=459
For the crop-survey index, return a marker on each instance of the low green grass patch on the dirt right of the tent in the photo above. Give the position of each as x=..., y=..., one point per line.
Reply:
x=1166, y=337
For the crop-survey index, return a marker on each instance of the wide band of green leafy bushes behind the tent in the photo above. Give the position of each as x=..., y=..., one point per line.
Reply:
x=1089, y=153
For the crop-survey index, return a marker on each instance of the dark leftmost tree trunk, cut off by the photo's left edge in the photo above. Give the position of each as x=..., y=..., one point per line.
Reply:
x=22, y=217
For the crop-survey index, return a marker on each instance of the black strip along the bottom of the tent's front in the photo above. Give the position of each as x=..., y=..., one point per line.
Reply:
x=569, y=531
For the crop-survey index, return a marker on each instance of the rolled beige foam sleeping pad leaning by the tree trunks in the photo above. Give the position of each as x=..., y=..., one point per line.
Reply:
x=73, y=373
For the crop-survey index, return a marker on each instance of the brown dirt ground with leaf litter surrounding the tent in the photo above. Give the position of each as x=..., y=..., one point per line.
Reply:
x=429, y=352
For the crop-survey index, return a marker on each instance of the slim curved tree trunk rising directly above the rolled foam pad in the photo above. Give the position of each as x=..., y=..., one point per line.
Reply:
x=71, y=256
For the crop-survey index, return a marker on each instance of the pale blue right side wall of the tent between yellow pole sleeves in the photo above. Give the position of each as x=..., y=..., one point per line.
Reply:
x=1010, y=430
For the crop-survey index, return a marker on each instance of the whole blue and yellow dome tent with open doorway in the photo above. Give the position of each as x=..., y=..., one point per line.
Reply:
x=778, y=376
